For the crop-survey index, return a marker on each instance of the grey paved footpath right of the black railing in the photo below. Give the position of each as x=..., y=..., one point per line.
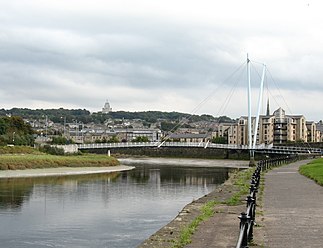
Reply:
x=293, y=209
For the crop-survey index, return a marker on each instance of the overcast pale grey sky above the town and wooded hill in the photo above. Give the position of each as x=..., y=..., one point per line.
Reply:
x=168, y=55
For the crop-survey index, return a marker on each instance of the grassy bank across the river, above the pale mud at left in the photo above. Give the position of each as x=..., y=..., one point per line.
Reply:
x=18, y=158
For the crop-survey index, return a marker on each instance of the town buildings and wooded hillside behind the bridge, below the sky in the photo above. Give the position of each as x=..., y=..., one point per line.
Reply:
x=81, y=126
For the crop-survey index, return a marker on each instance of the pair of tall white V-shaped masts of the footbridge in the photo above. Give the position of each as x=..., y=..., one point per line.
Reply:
x=252, y=142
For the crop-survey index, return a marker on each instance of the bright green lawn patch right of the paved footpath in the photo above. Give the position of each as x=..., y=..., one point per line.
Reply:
x=313, y=170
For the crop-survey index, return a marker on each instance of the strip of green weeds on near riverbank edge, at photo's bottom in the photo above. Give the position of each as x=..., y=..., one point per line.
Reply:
x=207, y=211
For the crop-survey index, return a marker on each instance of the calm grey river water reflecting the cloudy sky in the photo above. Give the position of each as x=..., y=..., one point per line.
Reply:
x=103, y=210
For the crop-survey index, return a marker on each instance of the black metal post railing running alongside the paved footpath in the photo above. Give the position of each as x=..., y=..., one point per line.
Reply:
x=247, y=219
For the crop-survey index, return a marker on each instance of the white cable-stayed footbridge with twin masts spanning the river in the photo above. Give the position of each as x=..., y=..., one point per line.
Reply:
x=252, y=145
